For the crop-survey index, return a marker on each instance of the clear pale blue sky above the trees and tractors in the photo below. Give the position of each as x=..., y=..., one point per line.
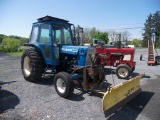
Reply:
x=17, y=16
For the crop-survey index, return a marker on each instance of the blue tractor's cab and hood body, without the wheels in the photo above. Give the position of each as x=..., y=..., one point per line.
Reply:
x=55, y=39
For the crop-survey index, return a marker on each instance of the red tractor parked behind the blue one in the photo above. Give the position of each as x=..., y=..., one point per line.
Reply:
x=120, y=57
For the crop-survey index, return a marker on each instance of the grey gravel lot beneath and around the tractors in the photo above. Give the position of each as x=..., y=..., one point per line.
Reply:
x=22, y=100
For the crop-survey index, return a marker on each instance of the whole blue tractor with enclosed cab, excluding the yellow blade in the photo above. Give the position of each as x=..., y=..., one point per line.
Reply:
x=53, y=47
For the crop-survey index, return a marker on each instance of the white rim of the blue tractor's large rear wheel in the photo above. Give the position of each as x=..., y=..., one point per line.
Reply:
x=27, y=67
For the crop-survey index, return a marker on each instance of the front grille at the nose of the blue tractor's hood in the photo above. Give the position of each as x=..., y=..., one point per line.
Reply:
x=91, y=51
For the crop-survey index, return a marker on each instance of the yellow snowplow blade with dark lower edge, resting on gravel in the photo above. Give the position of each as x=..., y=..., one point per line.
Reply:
x=120, y=94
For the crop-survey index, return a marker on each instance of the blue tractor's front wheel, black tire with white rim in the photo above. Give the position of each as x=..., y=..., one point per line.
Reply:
x=63, y=84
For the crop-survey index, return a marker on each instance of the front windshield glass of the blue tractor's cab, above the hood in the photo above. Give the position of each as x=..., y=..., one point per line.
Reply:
x=62, y=34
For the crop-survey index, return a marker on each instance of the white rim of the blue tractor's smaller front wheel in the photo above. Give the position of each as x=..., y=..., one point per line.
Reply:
x=61, y=85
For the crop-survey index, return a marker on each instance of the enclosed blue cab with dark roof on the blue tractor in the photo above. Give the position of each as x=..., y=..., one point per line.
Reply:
x=49, y=34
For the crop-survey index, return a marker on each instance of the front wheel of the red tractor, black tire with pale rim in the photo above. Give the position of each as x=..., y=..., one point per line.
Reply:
x=123, y=71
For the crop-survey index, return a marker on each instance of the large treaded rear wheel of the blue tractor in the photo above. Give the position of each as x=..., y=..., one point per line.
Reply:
x=32, y=65
